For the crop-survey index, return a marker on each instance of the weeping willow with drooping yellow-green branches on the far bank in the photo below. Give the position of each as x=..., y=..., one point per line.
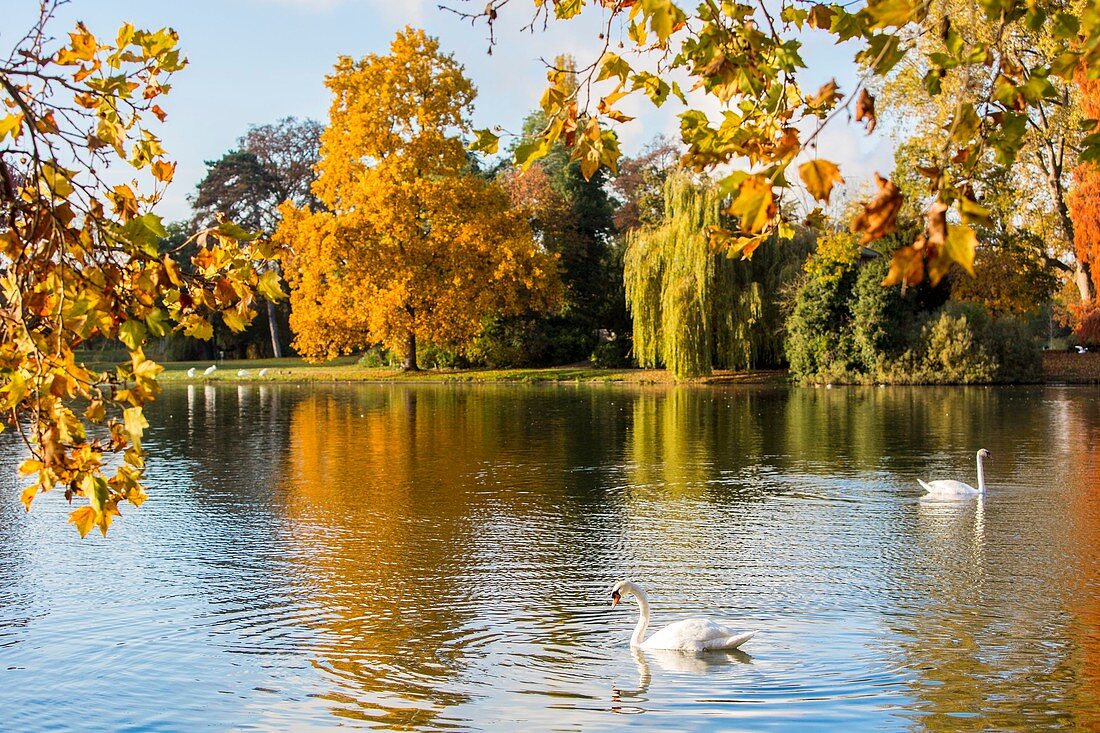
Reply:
x=695, y=310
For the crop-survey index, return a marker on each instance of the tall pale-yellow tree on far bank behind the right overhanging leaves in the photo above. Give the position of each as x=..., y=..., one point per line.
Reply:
x=1024, y=225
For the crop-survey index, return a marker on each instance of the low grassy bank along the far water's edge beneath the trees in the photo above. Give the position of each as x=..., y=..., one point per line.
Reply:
x=347, y=370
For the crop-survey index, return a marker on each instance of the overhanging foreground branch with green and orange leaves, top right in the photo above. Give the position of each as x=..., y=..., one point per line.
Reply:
x=747, y=59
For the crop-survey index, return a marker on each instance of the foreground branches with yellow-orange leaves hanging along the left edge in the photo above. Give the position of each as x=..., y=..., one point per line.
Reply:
x=80, y=258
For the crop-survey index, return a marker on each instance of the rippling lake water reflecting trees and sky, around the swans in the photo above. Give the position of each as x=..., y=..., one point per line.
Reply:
x=442, y=557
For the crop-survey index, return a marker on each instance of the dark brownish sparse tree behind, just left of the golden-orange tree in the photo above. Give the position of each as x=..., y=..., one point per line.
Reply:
x=271, y=165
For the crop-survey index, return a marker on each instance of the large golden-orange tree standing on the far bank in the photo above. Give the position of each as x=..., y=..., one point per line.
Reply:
x=413, y=245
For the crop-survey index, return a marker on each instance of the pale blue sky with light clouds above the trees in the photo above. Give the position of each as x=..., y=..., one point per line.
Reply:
x=254, y=62
